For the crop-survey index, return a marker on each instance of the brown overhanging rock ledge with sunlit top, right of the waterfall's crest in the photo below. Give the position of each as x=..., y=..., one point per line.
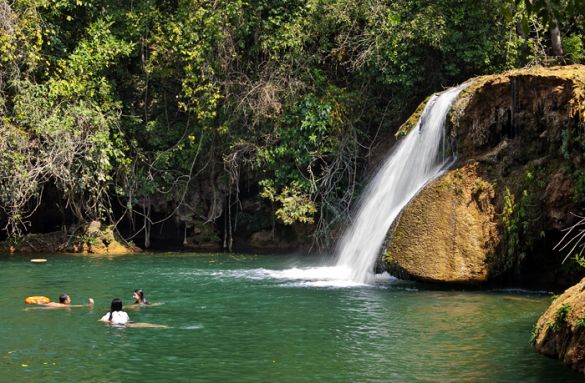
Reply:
x=518, y=102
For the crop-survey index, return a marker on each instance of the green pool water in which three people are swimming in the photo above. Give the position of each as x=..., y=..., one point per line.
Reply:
x=238, y=319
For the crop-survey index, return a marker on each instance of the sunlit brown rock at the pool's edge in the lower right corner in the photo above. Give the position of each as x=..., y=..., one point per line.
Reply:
x=560, y=331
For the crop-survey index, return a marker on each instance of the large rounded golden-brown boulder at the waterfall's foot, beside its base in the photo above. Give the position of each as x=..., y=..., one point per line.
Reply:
x=448, y=233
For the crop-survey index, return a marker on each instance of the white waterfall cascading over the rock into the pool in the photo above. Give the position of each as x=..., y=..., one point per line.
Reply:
x=417, y=159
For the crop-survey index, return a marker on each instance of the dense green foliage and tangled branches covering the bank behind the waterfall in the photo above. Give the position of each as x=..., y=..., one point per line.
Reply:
x=151, y=110
